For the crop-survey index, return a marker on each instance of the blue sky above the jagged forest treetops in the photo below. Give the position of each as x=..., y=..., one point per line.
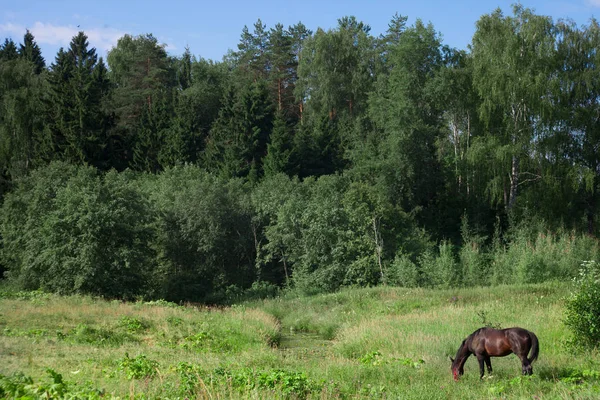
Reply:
x=212, y=27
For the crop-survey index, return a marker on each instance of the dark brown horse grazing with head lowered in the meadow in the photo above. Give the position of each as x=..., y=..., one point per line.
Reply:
x=488, y=342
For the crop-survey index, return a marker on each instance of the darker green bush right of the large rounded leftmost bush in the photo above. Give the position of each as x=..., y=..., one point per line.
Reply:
x=204, y=238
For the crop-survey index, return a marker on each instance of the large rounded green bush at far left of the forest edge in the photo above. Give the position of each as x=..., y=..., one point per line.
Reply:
x=72, y=230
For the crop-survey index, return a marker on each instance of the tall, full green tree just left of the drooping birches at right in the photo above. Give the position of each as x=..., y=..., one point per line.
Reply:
x=404, y=113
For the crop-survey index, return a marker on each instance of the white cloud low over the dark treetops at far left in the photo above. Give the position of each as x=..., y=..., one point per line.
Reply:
x=60, y=35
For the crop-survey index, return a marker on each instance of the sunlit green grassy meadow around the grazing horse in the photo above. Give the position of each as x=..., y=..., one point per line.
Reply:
x=361, y=343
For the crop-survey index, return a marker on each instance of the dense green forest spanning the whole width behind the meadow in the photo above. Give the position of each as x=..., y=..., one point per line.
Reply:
x=304, y=160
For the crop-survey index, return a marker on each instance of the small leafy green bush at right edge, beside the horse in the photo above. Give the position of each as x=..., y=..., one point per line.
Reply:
x=583, y=306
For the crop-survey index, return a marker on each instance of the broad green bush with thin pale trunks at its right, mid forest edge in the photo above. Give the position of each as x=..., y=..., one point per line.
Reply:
x=330, y=232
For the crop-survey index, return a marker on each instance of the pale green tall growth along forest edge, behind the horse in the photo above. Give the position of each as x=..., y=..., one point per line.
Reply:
x=527, y=255
